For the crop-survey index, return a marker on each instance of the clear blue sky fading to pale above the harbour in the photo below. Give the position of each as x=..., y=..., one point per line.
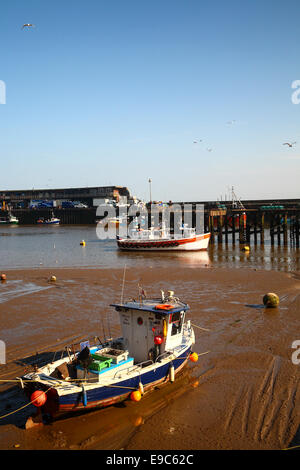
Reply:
x=115, y=92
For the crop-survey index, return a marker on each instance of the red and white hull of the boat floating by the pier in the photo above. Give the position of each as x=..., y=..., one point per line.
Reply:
x=196, y=243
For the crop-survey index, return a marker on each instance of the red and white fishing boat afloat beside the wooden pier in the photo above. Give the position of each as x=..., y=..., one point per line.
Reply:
x=161, y=240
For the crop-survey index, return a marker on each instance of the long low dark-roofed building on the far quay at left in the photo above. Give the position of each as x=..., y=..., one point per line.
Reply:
x=23, y=198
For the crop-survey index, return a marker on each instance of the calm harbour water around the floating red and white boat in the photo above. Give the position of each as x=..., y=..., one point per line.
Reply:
x=59, y=246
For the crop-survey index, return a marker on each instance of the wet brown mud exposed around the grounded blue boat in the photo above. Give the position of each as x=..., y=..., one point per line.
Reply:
x=244, y=394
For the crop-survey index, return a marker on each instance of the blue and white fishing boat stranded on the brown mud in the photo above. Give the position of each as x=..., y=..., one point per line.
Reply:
x=155, y=346
